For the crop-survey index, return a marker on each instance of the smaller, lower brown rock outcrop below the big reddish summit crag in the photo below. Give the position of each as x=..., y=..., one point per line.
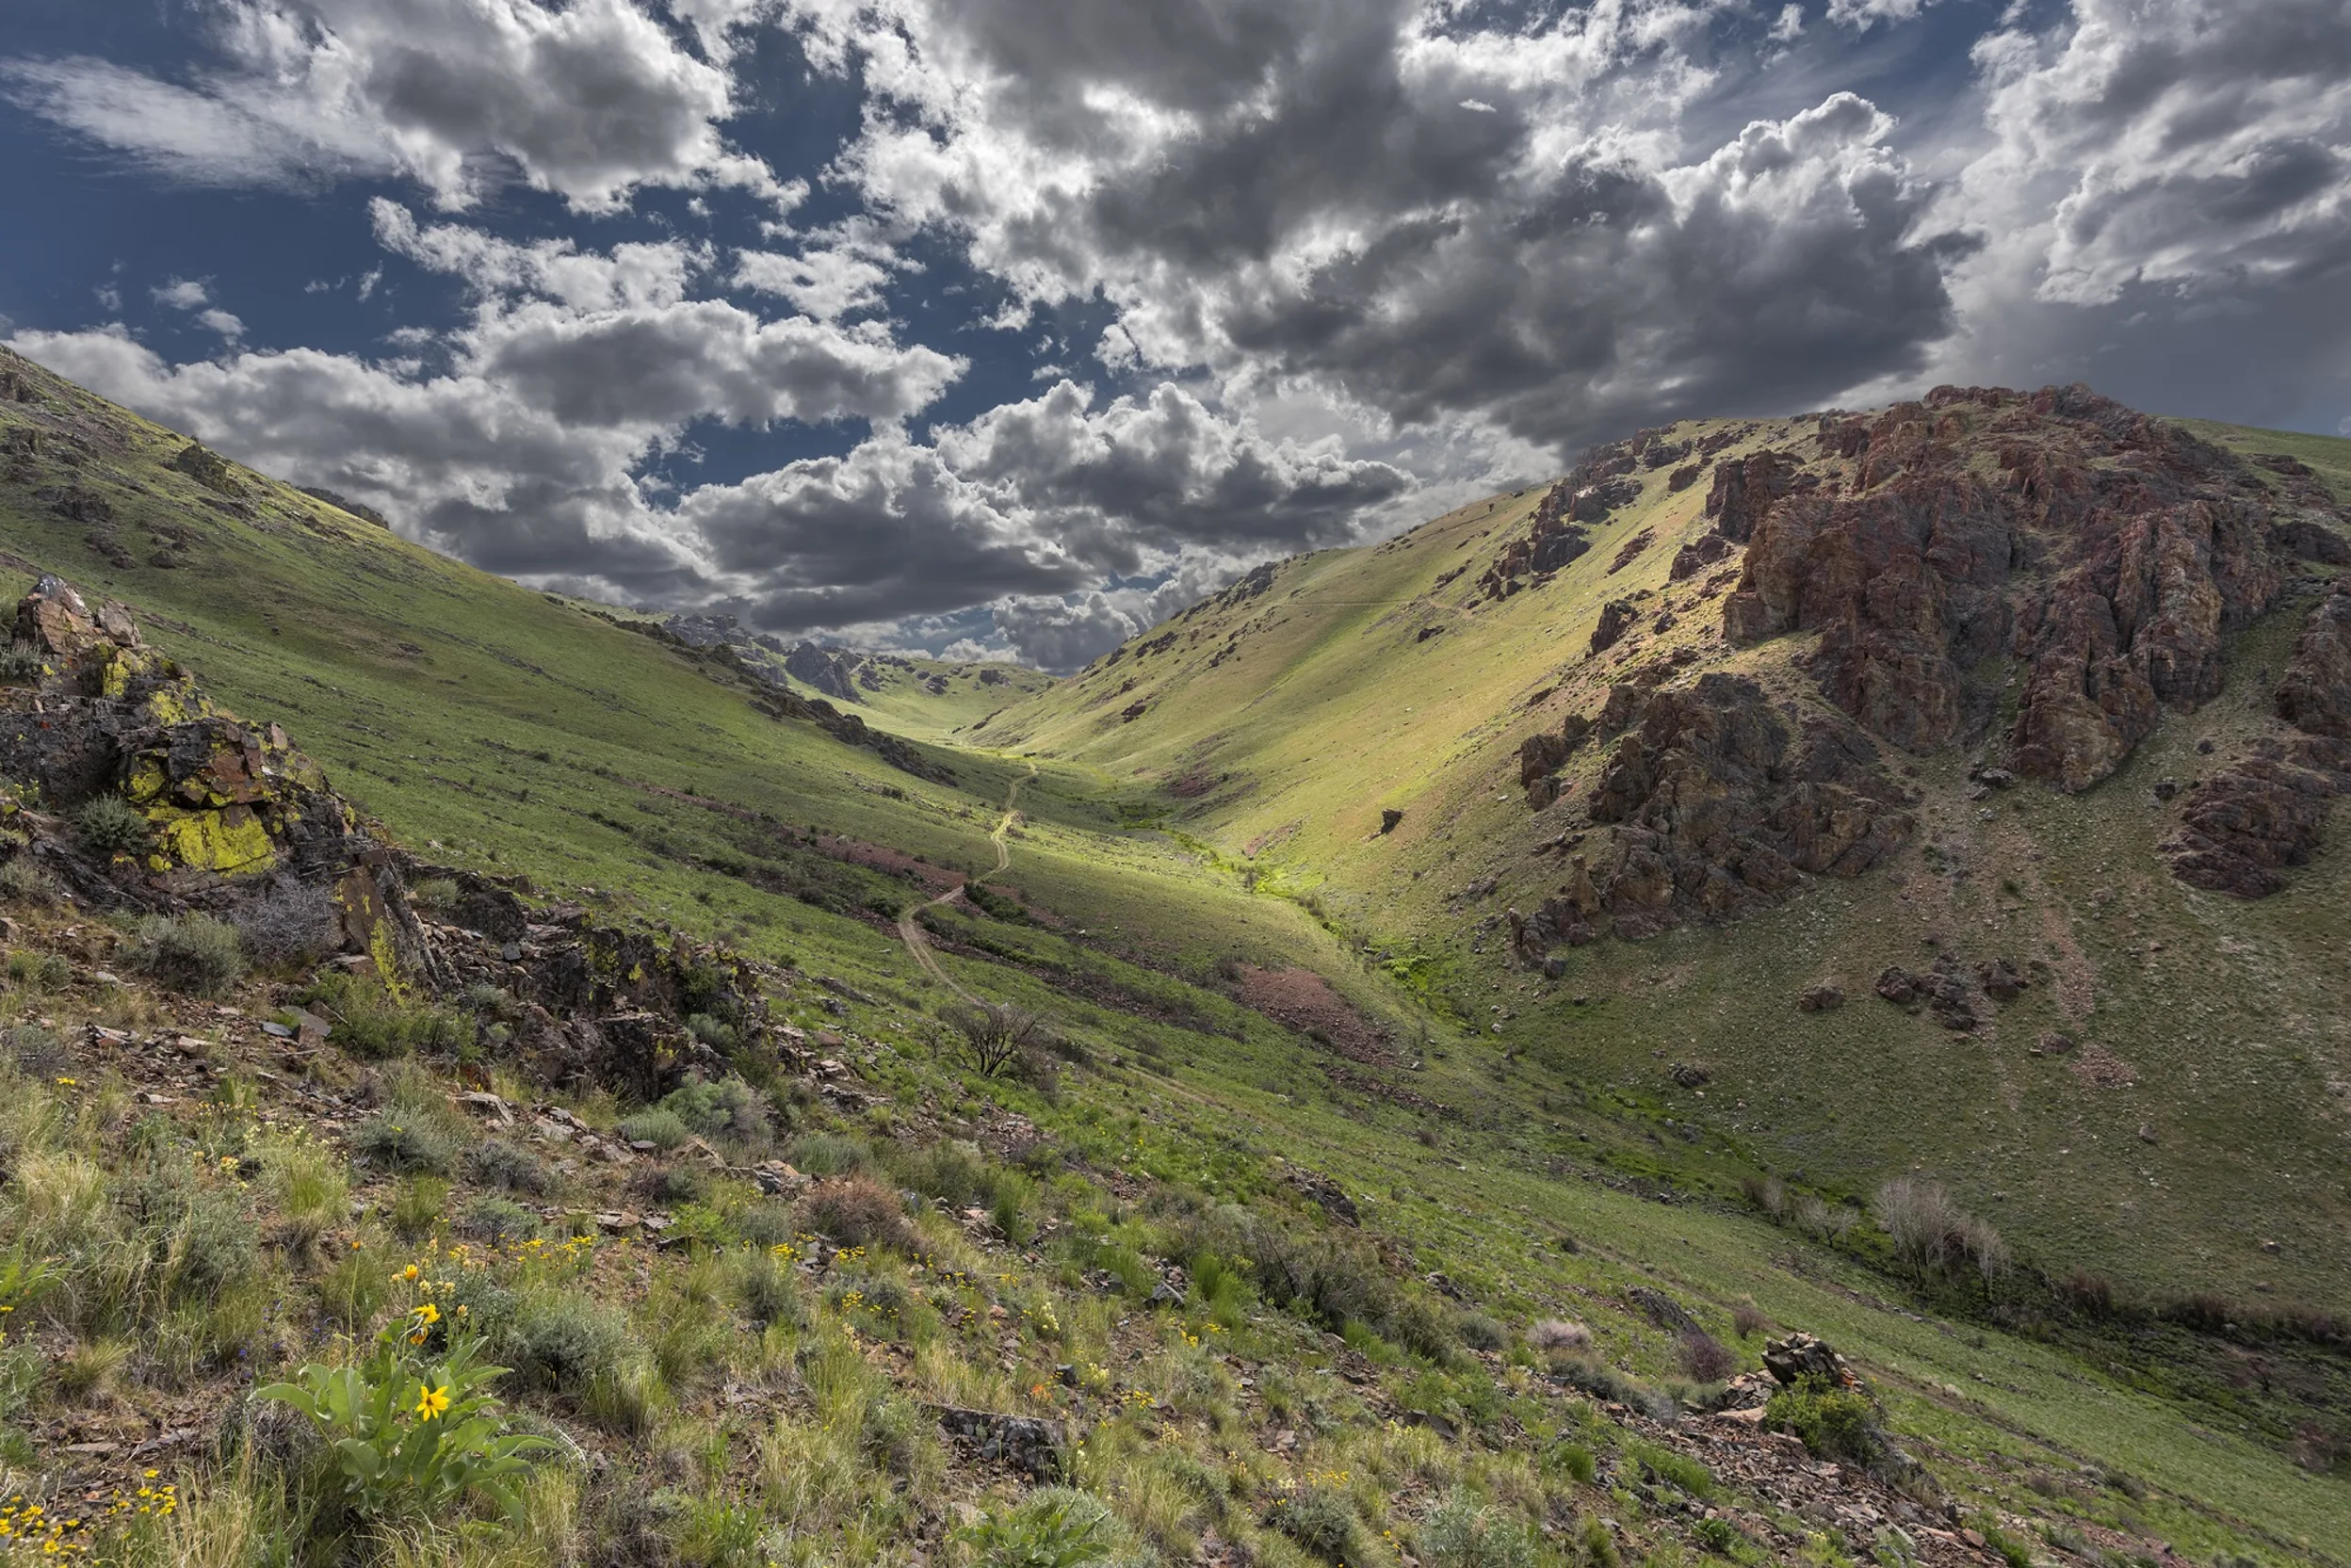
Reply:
x=1720, y=805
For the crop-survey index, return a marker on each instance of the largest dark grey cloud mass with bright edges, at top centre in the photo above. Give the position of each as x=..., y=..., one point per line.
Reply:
x=1405, y=210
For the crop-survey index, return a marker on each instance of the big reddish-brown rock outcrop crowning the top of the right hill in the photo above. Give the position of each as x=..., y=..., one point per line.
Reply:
x=2108, y=549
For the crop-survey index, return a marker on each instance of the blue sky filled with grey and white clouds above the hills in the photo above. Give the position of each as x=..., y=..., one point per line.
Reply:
x=1007, y=328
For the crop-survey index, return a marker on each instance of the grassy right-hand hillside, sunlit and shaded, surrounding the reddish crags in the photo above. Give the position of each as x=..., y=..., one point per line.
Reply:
x=1280, y=723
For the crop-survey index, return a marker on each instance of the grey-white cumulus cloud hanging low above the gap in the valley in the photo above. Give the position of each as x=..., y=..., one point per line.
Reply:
x=1026, y=507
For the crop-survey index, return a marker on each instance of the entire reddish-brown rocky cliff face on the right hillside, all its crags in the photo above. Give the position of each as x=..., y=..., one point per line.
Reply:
x=2039, y=577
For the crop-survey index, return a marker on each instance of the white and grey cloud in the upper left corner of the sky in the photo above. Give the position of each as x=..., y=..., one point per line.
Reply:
x=587, y=100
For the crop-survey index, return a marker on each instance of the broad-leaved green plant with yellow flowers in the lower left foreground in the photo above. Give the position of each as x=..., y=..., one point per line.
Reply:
x=413, y=1435
